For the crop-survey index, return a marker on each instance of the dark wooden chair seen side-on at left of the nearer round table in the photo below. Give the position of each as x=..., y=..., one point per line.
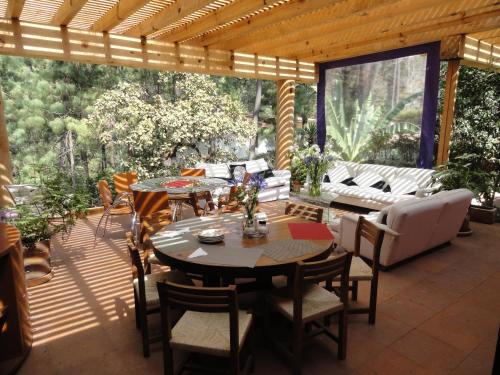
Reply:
x=146, y=297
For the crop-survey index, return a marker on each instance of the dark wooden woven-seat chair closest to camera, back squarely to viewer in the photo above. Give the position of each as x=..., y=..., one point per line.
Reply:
x=211, y=325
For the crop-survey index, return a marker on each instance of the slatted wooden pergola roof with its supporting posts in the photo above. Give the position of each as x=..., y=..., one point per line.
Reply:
x=281, y=40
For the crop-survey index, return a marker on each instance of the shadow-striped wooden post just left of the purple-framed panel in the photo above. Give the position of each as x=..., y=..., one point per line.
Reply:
x=284, y=122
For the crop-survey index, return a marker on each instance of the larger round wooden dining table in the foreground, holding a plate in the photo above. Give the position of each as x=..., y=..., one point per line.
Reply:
x=276, y=253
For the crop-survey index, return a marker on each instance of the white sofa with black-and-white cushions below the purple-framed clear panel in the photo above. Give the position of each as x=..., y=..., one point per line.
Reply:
x=415, y=180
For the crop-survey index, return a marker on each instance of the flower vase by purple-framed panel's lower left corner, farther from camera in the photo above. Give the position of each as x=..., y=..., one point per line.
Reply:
x=317, y=164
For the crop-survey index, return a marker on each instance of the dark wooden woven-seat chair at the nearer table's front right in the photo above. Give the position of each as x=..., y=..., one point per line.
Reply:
x=306, y=303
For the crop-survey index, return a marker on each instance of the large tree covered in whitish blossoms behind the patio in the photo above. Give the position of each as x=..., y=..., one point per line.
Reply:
x=196, y=122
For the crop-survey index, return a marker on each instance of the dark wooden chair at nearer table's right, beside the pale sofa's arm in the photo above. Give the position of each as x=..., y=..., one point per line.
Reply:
x=362, y=271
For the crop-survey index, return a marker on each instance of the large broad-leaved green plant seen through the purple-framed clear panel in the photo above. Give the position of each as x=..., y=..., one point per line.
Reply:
x=352, y=135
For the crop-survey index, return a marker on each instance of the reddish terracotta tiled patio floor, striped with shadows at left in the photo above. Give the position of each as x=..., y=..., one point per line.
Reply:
x=436, y=314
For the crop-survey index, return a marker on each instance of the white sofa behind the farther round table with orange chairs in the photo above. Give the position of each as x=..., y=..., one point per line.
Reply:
x=278, y=181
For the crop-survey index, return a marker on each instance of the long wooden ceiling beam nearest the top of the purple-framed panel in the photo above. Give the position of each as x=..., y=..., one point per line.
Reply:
x=415, y=36
